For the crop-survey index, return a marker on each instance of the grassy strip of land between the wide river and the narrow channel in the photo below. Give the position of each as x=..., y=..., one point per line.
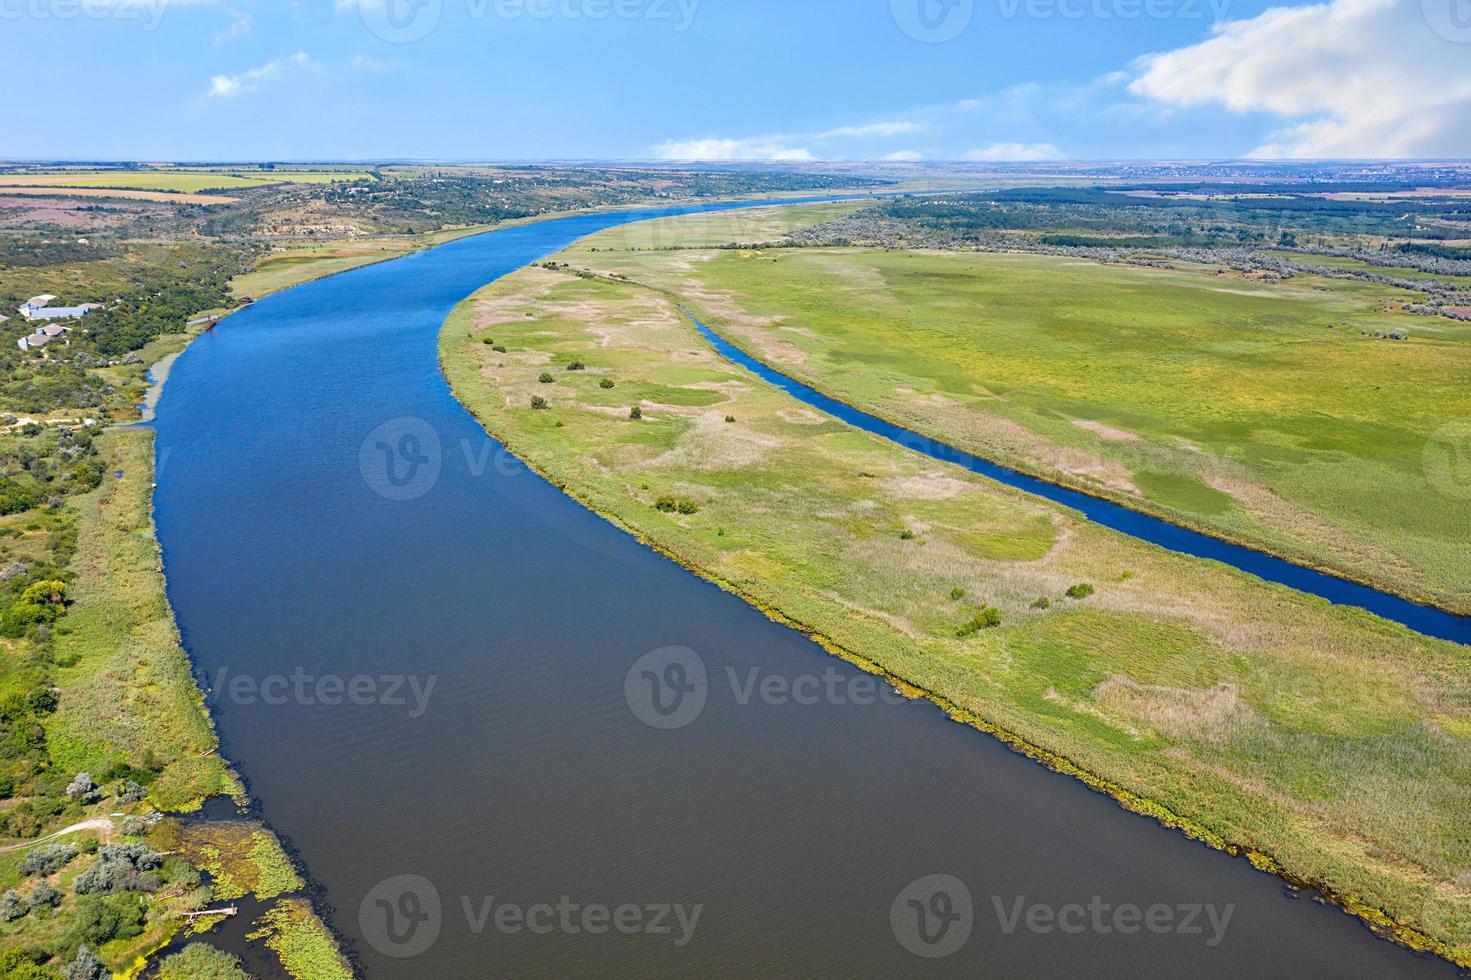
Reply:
x=1332, y=747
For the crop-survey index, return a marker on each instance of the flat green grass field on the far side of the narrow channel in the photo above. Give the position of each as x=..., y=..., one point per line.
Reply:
x=1263, y=413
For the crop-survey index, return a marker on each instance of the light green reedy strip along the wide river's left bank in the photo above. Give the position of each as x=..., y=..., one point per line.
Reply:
x=129, y=703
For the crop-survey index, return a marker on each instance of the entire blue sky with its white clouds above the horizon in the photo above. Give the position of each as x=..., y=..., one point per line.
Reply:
x=736, y=79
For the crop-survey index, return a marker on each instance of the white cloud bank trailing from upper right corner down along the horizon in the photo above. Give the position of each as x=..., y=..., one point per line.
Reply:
x=1347, y=79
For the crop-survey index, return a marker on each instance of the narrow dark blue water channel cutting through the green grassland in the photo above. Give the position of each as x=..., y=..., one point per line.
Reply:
x=1428, y=620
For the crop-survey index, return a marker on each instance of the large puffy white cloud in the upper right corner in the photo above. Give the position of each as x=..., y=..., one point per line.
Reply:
x=1351, y=79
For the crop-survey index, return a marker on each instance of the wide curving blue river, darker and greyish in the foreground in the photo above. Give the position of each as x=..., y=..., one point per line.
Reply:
x=421, y=658
